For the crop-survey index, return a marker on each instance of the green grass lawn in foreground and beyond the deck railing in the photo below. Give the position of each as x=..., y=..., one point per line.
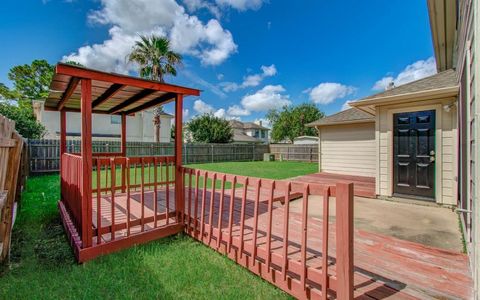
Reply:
x=42, y=264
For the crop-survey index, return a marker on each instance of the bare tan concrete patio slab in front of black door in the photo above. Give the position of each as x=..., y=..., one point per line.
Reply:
x=428, y=225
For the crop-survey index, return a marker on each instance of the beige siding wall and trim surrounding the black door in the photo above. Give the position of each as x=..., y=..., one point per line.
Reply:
x=445, y=147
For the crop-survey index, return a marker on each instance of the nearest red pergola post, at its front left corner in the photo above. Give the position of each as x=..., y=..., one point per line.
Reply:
x=86, y=152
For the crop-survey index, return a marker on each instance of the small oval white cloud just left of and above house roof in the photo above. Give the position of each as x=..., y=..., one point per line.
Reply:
x=327, y=92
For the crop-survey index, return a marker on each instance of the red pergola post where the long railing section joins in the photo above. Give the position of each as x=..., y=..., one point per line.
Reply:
x=179, y=191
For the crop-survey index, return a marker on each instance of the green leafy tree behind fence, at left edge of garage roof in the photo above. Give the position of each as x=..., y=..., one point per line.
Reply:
x=289, y=122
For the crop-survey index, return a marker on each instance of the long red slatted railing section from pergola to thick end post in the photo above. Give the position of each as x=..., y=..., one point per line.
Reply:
x=294, y=247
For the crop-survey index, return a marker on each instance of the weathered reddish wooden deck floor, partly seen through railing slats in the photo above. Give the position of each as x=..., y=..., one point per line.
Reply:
x=385, y=267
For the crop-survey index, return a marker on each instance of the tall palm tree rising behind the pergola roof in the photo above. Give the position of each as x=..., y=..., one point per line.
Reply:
x=155, y=59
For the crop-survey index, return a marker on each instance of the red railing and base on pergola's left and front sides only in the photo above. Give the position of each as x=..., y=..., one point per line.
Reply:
x=132, y=201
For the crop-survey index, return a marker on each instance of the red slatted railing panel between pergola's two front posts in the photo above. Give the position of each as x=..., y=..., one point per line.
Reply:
x=131, y=195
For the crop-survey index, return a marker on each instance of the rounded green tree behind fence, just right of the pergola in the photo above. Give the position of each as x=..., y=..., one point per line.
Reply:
x=209, y=129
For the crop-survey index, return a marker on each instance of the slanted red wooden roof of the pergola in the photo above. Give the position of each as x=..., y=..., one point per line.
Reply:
x=111, y=93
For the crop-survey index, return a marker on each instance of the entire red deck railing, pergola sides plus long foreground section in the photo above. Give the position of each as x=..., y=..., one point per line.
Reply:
x=280, y=230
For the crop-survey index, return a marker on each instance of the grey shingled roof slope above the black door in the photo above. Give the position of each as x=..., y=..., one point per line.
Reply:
x=440, y=80
